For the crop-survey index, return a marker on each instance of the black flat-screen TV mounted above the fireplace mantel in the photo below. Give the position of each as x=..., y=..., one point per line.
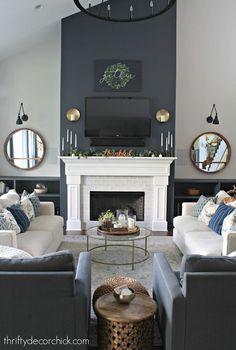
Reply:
x=121, y=117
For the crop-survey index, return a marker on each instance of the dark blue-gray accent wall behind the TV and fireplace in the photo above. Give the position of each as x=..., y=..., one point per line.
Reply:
x=85, y=39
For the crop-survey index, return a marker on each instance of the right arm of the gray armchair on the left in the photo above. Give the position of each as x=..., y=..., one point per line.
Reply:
x=83, y=294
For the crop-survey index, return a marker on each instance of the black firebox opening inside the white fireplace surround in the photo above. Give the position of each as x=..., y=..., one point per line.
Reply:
x=101, y=201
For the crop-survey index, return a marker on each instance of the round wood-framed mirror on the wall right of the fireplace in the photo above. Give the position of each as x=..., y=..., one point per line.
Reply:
x=210, y=152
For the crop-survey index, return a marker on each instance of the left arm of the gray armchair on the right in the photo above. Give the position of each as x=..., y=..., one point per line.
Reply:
x=171, y=303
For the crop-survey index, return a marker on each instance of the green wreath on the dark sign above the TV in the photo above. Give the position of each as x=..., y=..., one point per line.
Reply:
x=117, y=76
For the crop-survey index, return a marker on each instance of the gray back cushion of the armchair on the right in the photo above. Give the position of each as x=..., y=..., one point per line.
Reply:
x=199, y=263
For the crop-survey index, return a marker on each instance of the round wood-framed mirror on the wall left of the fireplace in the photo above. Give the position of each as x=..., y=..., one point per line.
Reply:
x=24, y=149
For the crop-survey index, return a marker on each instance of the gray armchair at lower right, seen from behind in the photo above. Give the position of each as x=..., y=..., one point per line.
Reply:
x=200, y=315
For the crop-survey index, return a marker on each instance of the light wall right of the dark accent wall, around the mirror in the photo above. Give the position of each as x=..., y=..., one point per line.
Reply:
x=206, y=74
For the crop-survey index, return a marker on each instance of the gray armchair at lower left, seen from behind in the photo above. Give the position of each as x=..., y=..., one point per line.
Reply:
x=44, y=298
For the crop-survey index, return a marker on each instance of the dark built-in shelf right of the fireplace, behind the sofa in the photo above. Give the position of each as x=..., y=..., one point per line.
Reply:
x=206, y=187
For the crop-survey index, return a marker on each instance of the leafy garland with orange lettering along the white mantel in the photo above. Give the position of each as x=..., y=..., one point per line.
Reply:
x=117, y=153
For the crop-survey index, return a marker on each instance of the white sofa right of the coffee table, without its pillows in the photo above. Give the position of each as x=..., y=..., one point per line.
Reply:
x=194, y=237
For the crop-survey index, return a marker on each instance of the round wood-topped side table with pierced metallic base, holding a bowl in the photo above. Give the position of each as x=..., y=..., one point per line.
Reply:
x=125, y=326
